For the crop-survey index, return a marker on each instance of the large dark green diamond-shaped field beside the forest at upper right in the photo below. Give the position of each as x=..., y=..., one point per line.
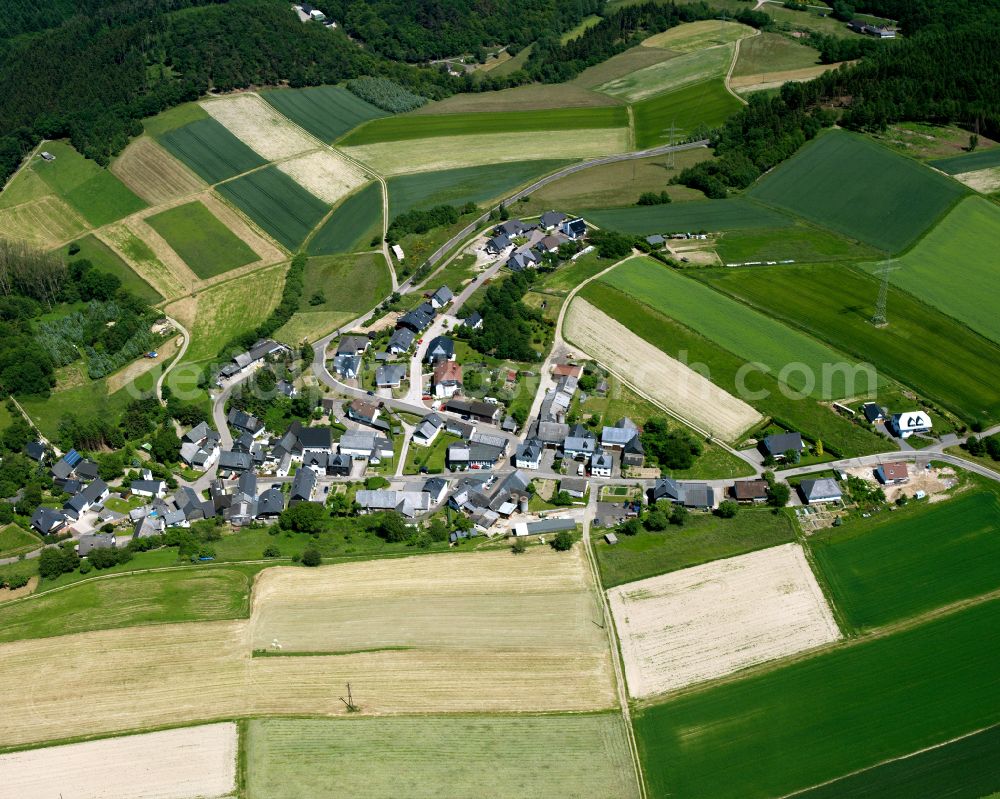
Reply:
x=856, y=187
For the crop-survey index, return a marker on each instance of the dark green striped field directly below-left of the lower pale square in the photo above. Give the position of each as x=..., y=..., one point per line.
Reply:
x=279, y=205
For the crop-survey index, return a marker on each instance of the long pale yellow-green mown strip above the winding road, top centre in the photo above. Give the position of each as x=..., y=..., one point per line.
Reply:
x=452, y=152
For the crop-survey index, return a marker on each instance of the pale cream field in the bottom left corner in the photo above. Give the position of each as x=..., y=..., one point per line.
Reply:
x=185, y=763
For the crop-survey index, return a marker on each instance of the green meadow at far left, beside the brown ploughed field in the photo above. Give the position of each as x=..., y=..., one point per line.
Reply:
x=97, y=194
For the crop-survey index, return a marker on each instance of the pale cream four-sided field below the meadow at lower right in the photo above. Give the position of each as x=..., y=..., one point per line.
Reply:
x=709, y=621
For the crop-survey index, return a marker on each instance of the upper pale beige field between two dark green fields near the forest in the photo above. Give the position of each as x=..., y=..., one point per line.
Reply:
x=259, y=126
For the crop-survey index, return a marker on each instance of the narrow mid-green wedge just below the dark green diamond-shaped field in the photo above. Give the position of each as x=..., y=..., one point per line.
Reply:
x=802, y=243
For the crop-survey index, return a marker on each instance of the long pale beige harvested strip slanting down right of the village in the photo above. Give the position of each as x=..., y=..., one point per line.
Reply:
x=669, y=382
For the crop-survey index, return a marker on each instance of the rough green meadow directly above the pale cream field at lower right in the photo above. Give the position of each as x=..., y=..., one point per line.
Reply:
x=703, y=538
